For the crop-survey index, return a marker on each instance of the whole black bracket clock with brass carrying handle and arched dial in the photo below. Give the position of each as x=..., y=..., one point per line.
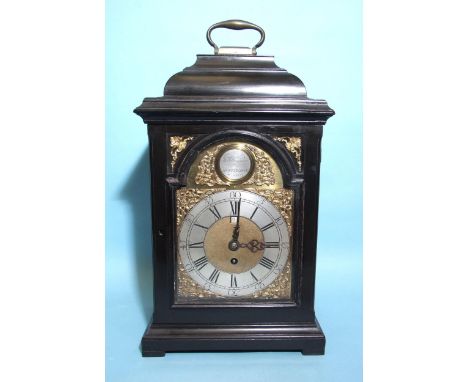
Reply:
x=235, y=156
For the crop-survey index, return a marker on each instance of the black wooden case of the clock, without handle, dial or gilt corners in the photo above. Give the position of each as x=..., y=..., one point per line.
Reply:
x=244, y=98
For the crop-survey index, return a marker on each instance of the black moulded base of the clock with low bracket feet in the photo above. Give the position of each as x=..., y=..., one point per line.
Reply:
x=307, y=338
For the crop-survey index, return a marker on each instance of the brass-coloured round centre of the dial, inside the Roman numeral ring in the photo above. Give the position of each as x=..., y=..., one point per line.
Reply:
x=217, y=245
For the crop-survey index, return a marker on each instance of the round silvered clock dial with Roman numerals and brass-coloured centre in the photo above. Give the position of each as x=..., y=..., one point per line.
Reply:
x=234, y=243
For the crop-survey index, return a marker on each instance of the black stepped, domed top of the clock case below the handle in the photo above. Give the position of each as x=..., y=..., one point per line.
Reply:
x=223, y=86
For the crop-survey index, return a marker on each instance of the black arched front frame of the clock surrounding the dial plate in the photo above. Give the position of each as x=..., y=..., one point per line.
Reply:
x=165, y=182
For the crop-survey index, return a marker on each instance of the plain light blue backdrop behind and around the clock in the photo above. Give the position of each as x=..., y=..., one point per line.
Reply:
x=147, y=42
